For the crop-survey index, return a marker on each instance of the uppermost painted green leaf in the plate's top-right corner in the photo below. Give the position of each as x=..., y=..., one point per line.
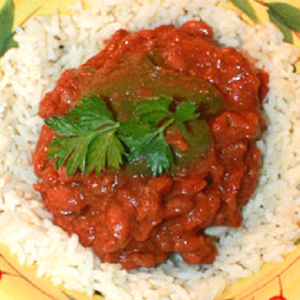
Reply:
x=288, y=13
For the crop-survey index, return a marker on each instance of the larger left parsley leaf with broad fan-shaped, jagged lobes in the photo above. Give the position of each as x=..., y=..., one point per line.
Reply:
x=86, y=138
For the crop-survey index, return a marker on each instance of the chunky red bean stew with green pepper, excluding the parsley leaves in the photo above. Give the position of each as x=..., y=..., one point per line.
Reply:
x=129, y=217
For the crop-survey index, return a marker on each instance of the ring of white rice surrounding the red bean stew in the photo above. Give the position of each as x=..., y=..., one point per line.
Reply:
x=270, y=219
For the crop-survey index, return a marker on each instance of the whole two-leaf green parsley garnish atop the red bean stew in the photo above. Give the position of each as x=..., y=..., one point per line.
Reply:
x=89, y=138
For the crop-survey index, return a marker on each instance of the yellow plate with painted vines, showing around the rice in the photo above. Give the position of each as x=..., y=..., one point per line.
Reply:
x=273, y=282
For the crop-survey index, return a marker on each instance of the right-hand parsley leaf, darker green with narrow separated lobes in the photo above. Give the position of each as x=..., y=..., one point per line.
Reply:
x=145, y=137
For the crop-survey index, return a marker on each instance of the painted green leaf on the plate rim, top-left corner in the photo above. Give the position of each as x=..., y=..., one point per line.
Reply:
x=6, y=24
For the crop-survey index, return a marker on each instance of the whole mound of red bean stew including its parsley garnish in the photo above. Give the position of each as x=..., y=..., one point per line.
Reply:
x=149, y=142
